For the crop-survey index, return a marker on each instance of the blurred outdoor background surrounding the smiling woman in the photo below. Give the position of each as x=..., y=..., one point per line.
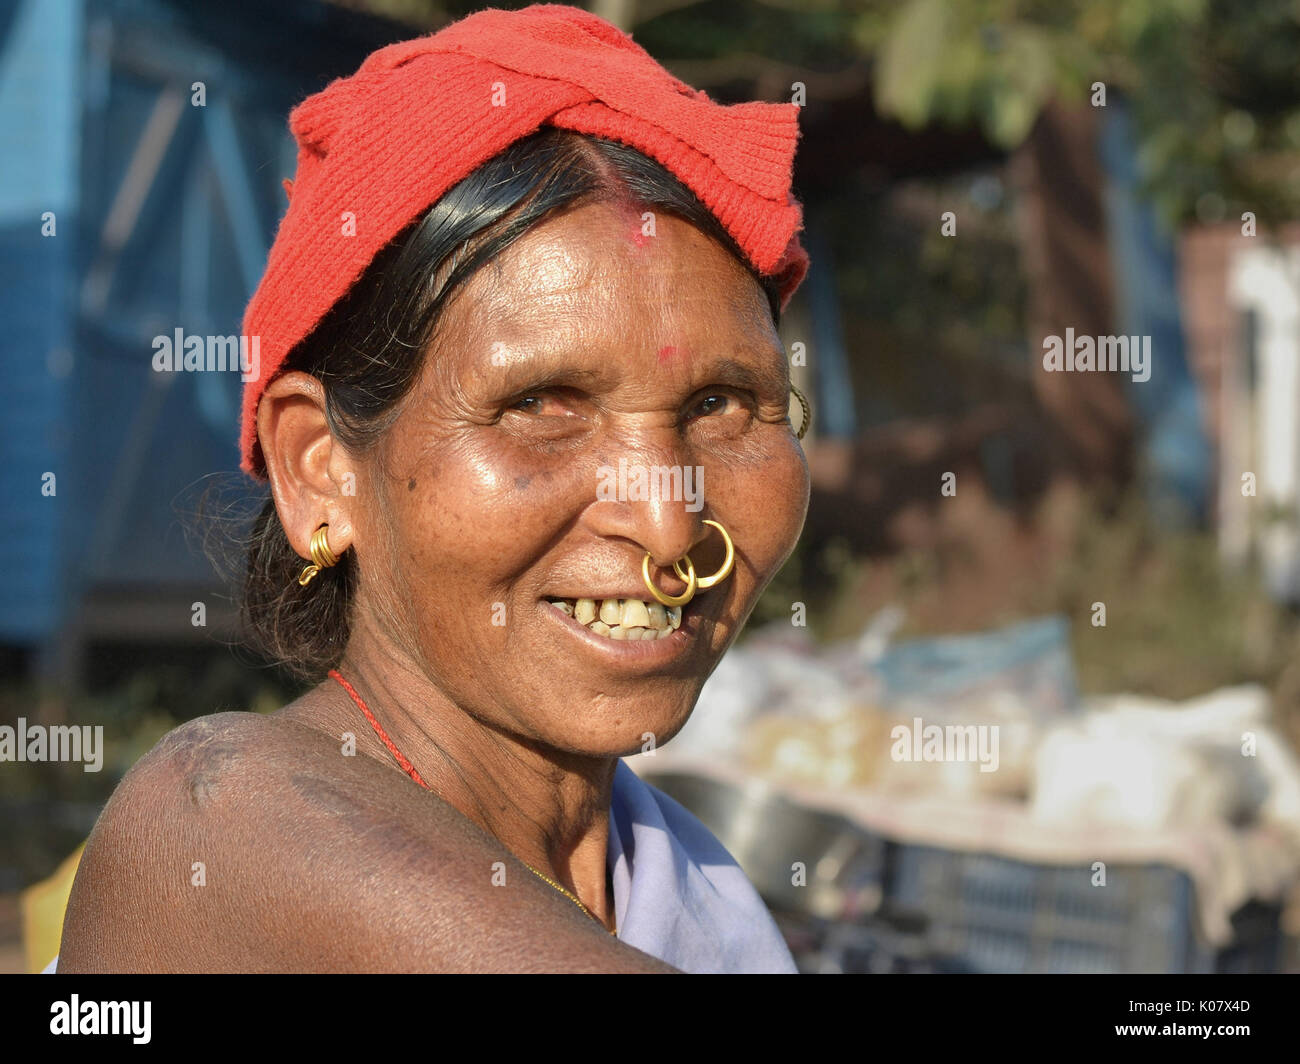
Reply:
x=1102, y=573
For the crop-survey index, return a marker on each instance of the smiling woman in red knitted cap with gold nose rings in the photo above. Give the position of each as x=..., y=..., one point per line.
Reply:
x=527, y=426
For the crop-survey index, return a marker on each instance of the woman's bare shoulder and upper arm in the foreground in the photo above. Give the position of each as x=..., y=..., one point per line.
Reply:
x=224, y=850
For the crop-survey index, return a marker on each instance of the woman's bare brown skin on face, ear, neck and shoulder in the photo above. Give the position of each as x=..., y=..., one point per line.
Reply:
x=657, y=351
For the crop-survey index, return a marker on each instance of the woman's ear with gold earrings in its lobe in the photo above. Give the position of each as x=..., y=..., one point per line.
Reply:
x=311, y=474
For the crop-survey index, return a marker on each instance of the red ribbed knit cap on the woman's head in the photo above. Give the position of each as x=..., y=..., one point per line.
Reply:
x=419, y=116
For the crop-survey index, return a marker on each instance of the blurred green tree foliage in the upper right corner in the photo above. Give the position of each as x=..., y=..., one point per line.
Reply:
x=1215, y=85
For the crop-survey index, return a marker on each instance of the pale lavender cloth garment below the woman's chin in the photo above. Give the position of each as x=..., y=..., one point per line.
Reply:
x=678, y=894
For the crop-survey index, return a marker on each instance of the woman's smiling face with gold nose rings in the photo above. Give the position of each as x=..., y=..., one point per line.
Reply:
x=586, y=345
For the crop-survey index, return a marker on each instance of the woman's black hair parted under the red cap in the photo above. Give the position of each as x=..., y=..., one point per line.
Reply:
x=370, y=349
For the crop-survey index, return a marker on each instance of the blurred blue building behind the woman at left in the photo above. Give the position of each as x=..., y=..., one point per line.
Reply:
x=144, y=146
